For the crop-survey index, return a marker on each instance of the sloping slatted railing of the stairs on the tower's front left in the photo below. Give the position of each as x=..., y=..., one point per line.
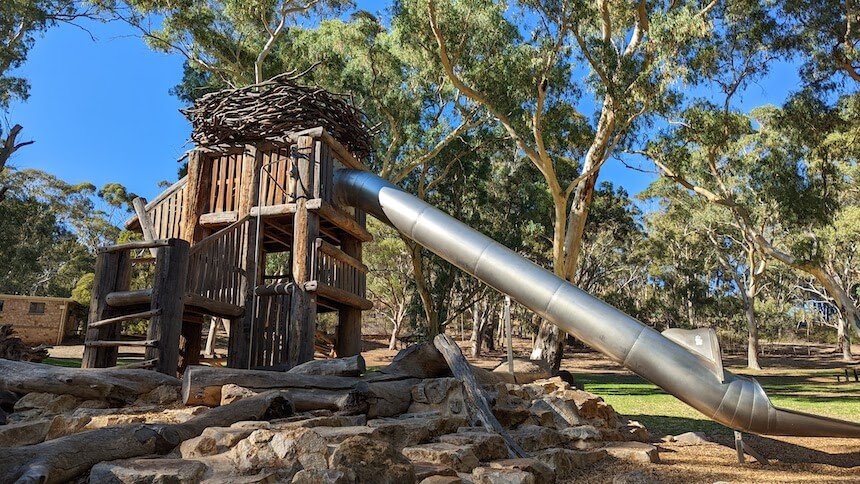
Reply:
x=217, y=265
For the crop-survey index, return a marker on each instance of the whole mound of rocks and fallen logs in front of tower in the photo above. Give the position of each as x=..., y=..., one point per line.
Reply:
x=428, y=414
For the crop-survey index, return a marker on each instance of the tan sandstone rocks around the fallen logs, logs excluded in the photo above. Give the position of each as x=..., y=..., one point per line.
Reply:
x=566, y=432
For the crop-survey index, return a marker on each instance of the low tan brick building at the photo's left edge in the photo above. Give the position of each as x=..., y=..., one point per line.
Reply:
x=36, y=319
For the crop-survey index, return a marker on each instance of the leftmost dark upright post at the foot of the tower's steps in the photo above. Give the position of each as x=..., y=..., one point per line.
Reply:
x=113, y=273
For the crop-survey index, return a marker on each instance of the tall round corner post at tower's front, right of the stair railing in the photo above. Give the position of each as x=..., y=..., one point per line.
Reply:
x=305, y=232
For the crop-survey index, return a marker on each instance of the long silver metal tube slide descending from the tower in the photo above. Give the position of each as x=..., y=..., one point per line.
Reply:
x=686, y=364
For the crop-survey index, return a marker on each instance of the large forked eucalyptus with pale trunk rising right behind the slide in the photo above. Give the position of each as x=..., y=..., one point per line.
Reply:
x=568, y=88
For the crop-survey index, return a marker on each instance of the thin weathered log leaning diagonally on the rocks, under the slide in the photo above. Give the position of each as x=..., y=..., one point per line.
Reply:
x=462, y=371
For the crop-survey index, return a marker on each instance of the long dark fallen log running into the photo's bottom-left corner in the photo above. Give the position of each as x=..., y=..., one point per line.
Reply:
x=65, y=458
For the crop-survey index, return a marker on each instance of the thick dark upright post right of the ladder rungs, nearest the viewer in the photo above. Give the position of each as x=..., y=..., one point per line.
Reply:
x=168, y=296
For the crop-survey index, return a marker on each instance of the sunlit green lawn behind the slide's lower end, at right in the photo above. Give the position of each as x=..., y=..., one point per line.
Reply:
x=813, y=391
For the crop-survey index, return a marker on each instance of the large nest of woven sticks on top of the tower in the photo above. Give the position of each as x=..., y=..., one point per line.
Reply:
x=273, y=109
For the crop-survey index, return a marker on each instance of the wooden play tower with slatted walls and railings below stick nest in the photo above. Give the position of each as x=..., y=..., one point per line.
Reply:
x=212, y=237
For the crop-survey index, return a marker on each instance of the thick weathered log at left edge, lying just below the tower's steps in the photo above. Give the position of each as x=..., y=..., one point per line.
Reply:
x=92, y=383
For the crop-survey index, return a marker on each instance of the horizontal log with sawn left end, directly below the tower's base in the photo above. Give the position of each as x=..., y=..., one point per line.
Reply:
x=201, y=385
